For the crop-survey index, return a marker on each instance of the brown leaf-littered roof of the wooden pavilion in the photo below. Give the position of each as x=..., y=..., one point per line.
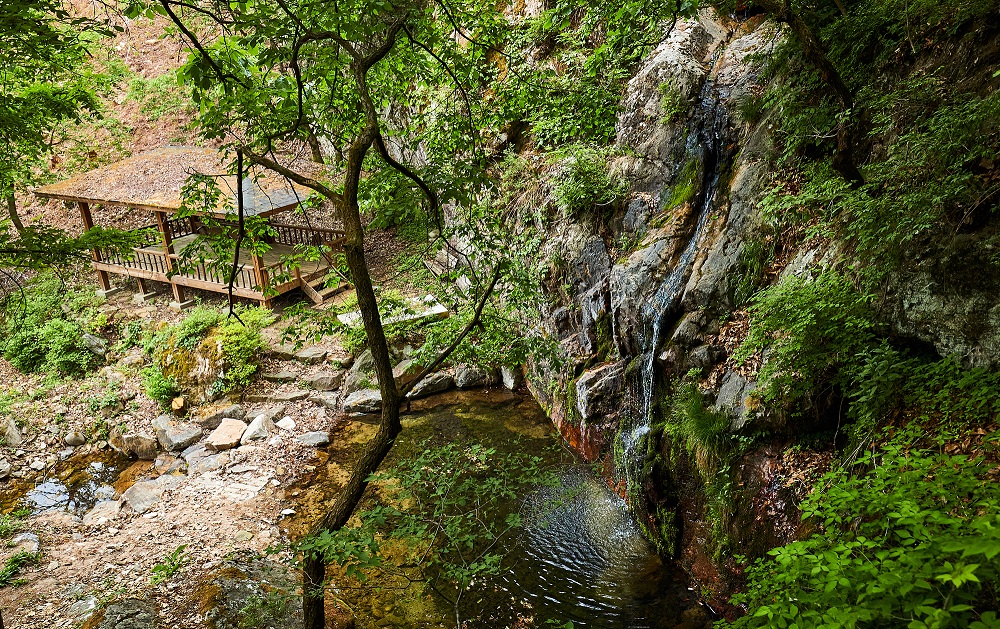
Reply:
x=153, y=180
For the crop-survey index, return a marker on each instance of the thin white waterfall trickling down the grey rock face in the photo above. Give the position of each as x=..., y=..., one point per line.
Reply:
x=706, y=138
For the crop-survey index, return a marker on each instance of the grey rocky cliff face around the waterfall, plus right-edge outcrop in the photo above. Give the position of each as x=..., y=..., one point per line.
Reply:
x=649, y=293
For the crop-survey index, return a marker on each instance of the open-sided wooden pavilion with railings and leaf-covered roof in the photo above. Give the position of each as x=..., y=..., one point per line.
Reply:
x=151, y=182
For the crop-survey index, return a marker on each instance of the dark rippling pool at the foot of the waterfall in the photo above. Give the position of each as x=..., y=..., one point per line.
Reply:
x=580, y=557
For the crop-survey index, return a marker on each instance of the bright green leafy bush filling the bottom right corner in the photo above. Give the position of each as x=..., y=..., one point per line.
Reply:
x=912, y=540
